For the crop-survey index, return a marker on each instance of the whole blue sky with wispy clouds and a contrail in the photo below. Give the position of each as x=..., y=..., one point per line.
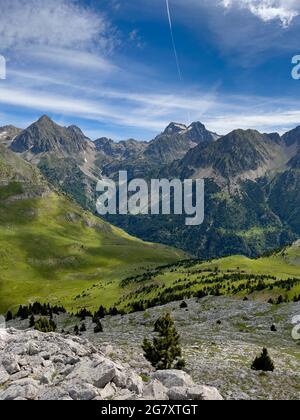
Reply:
x=112, y=67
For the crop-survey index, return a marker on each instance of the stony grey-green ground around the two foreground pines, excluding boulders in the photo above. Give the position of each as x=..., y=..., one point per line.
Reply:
x=221, y=337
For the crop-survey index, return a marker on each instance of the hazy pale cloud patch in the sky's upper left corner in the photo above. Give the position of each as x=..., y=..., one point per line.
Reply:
x=56, y=23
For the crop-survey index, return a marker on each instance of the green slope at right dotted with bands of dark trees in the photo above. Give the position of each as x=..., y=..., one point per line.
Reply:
x=255, y=279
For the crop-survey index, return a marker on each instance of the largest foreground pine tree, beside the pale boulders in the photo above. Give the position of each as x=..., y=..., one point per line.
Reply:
x=165, y=351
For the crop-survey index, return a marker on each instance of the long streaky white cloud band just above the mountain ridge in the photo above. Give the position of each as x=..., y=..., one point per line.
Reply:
x=152, y=112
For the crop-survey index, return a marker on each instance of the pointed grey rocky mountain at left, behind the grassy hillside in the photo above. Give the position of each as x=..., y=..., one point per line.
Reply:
x=64, y=155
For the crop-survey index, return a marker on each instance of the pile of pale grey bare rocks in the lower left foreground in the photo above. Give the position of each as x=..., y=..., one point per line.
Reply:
x=37, y=366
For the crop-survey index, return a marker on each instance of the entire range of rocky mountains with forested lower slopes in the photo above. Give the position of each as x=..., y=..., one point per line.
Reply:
x=252, y=181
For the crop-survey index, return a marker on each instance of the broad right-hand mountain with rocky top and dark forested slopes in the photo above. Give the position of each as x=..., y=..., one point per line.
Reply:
x=247, y=178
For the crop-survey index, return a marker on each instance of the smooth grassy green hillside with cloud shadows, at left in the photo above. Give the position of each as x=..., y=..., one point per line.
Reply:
x=51, y=250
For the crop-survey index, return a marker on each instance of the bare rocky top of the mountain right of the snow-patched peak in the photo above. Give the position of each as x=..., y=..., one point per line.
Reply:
x=244, y=154
